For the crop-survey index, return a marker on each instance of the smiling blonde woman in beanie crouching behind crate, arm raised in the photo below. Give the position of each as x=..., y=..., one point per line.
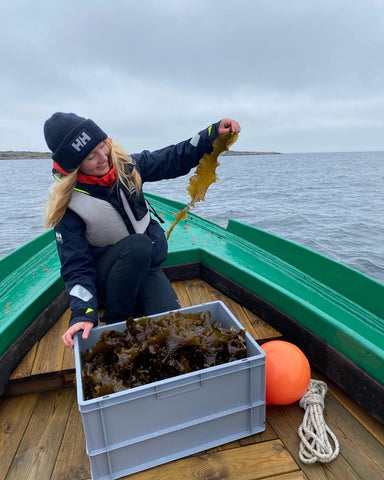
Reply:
x=109, y=245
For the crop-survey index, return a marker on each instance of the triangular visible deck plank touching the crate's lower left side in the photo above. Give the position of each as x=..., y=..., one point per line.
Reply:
x=72, y=461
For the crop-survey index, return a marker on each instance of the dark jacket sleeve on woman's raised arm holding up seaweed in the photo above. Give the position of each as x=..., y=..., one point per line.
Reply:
x=175, y=160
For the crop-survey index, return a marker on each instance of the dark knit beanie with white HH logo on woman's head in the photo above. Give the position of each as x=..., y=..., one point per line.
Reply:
x=71, y=138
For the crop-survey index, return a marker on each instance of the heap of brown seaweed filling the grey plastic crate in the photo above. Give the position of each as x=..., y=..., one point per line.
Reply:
x=151, y=350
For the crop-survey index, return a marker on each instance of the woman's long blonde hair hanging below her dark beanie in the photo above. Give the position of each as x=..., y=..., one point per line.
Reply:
x=61, y=194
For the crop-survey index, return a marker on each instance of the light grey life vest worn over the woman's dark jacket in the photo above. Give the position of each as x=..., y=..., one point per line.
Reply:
x=104, y=224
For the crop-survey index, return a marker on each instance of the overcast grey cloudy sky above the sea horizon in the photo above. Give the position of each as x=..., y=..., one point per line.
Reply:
x=299, y=75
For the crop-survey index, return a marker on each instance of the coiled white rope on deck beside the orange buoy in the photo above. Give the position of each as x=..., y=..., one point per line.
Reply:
x=318, y=442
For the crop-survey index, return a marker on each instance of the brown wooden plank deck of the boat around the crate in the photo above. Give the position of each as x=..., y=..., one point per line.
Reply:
x=42, y=436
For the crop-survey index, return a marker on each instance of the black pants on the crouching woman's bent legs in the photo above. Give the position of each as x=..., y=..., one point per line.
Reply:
x=127, y=285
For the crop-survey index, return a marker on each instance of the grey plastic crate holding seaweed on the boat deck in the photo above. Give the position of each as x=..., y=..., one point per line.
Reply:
x=142, y=427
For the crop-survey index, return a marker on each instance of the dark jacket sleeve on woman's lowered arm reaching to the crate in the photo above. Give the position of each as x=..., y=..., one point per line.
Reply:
x=77, y=268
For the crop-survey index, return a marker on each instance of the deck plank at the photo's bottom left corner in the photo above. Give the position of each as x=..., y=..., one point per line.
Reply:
x=14, y=417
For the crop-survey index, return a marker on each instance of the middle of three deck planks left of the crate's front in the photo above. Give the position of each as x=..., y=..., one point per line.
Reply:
x=37, y=452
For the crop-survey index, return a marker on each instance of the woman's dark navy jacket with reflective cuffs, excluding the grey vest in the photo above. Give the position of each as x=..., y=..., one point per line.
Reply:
x=78, y=268
